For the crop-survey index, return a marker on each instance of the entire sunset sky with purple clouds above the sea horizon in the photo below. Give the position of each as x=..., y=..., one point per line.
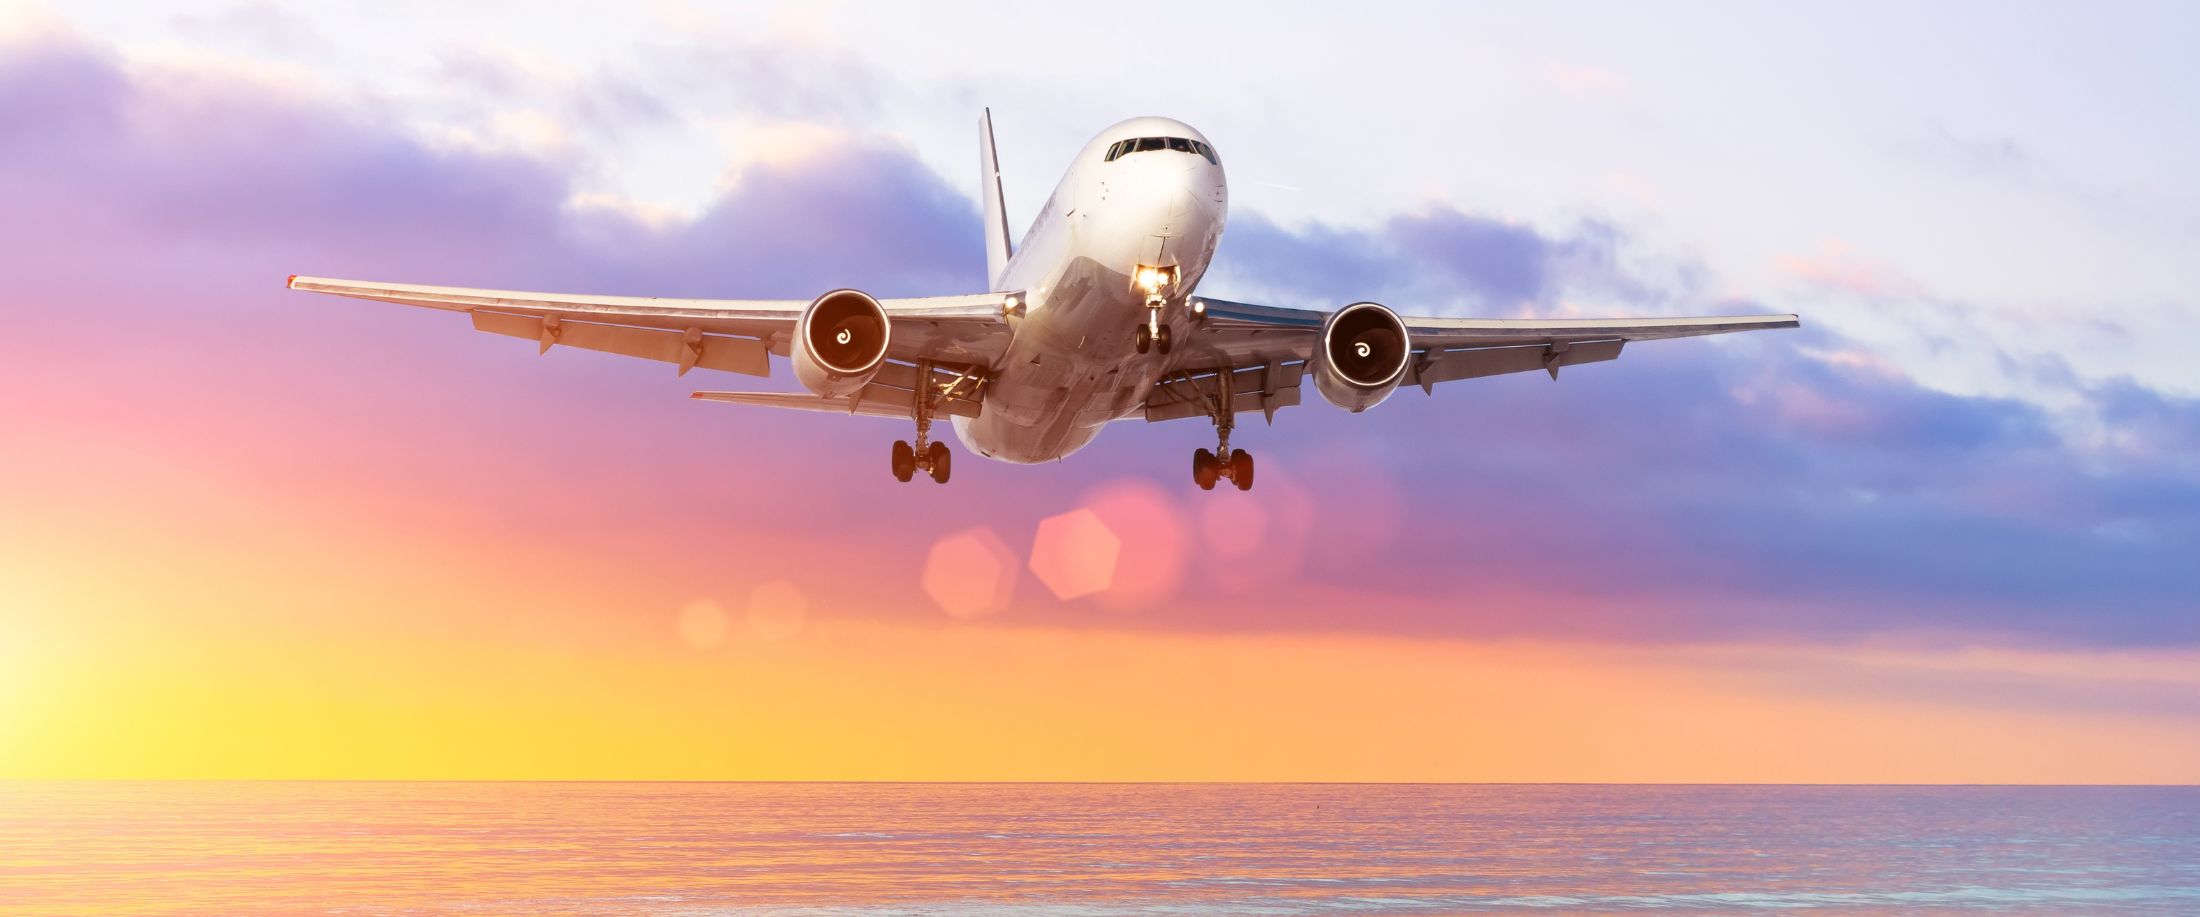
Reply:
x=1946, y=533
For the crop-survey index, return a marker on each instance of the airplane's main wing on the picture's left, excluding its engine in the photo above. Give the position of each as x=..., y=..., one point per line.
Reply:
x=734, y=335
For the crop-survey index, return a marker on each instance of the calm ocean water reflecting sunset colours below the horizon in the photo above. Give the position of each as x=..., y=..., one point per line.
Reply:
x=1090, y=850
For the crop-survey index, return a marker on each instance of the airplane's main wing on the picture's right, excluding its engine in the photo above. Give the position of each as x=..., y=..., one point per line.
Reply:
x=1257, y=355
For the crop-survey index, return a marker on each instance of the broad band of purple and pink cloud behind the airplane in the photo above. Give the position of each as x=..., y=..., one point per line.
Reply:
x=1695, y=489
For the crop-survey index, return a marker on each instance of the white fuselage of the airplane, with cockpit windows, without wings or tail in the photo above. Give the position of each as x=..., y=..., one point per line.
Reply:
x=1072, y=364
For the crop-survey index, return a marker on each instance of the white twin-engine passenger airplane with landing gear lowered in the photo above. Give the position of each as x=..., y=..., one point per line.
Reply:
x=1090, y=320
